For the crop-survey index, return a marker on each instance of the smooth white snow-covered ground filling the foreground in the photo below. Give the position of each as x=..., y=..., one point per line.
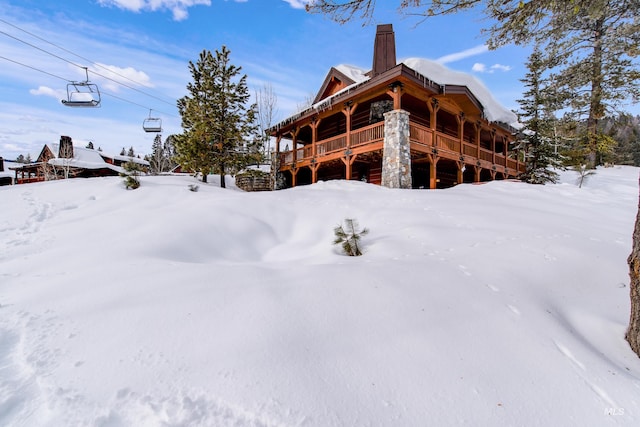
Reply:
x=501, y=304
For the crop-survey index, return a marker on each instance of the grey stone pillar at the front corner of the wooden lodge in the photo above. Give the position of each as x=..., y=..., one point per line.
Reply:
x=396, y=156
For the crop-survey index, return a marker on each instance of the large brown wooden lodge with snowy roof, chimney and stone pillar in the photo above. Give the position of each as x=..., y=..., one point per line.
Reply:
x=396, y=126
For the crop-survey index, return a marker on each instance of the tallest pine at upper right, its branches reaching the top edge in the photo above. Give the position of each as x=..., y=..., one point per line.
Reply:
x=595, y=44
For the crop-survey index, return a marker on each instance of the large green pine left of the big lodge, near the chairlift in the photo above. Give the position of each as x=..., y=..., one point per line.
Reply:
x=220, y=130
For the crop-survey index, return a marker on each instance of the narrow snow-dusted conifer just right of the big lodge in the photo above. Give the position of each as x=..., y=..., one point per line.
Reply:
x=536, y=114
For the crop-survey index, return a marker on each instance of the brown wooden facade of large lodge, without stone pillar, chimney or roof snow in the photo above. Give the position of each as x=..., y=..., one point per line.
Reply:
x=343, y=137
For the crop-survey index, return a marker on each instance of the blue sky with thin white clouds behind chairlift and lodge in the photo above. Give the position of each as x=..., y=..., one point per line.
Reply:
x=151, y=42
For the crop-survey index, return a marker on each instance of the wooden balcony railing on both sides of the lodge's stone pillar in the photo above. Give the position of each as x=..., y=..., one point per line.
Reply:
x=422, y=139
